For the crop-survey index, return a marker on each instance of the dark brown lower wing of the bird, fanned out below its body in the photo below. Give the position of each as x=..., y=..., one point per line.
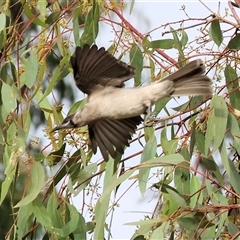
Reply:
x=111, y=135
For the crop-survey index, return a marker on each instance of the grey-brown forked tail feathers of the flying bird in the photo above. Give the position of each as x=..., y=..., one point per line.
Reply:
x=190, y=80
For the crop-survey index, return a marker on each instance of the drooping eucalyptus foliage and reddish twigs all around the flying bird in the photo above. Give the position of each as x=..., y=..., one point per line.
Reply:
x=189, y=157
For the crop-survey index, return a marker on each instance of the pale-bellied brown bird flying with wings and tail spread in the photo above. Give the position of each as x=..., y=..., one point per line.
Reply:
x=113, y=112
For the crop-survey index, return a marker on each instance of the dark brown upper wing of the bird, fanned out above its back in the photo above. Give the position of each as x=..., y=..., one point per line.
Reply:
x=95, y=68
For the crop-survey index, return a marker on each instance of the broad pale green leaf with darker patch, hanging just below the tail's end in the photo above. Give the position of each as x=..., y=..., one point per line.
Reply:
x=217, y=123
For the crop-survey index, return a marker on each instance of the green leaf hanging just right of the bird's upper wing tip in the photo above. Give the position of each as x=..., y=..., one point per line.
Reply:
x=136, y=59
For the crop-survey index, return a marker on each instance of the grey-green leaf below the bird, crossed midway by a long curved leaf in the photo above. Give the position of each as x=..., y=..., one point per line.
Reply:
x=149, y=152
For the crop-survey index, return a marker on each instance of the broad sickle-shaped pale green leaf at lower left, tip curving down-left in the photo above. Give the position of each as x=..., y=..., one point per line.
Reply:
x=35, y=186
